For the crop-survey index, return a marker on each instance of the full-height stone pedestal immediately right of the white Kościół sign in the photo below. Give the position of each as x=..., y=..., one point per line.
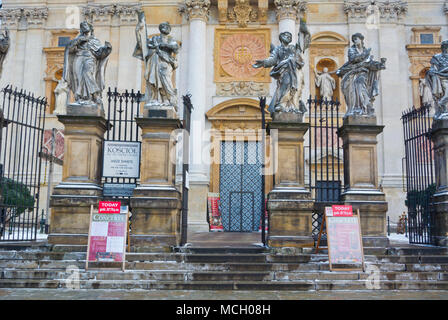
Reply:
x=156, y=203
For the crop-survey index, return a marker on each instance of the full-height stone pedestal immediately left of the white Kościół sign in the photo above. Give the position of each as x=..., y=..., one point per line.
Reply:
x=81, y=177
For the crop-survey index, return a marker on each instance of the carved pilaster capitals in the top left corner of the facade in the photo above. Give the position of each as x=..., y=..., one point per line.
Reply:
x=24, y=17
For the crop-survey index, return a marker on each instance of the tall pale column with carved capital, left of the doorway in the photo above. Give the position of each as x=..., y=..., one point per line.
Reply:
x=197, y=12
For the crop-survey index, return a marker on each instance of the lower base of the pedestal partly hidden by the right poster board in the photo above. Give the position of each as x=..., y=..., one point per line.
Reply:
x=372, y=208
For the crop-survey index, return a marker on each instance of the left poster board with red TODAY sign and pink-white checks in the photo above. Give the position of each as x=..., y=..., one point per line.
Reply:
x=108, y=231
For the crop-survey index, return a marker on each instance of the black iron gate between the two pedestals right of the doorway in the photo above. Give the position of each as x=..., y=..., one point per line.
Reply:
x=324, y=157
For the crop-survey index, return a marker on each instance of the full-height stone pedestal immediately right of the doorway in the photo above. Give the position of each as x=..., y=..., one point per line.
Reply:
x=289, y=203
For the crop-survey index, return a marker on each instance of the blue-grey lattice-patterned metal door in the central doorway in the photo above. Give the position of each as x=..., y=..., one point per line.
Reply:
x=241, y=186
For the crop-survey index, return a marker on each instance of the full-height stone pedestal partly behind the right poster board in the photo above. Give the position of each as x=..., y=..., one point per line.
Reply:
x=359, y=136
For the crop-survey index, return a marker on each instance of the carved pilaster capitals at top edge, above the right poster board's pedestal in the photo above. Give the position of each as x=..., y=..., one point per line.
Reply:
x=389, y=10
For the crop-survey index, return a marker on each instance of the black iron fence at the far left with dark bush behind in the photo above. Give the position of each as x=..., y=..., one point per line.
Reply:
x=21, y=138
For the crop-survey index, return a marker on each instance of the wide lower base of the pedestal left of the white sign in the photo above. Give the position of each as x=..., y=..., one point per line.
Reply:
x=70, y=212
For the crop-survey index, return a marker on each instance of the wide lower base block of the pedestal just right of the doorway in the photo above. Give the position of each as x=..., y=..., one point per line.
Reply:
x=290, y=218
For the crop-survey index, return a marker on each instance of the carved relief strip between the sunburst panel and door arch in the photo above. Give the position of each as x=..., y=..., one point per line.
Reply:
x=242, y=88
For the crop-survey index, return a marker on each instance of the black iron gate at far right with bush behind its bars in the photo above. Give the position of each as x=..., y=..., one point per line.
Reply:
x=420, y=184
